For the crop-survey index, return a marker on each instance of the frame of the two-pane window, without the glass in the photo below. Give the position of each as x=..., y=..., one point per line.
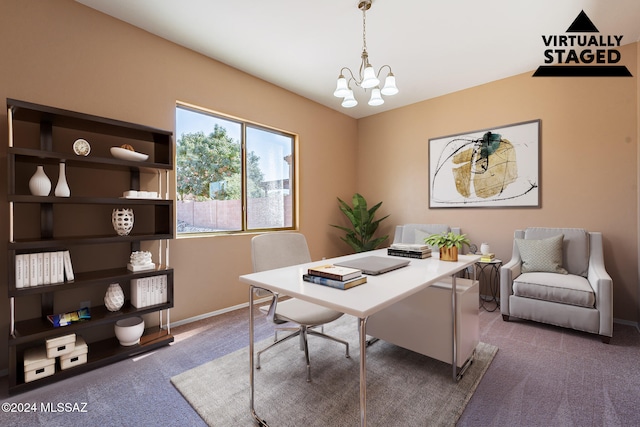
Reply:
x=244, y=124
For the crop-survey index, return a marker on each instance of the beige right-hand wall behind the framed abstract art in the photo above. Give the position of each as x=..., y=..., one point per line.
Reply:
x=589, y=162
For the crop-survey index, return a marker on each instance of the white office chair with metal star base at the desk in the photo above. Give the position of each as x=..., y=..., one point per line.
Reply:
x=276, y=250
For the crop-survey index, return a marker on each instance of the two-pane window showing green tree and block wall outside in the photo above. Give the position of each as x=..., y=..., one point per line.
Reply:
x=232, y=175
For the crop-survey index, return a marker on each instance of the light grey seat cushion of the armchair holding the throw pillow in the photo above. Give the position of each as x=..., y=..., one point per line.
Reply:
x=565, y=289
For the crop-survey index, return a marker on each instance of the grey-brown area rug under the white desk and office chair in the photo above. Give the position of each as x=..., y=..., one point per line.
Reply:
x=404, y=388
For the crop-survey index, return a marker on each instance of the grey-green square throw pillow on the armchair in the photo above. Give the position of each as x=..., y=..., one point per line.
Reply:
x=541, y=255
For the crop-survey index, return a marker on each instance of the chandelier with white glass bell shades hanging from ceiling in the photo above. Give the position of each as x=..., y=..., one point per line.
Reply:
x=367, y=77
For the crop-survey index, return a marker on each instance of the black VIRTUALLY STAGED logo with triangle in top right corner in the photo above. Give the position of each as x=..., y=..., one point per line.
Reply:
x=582, y=55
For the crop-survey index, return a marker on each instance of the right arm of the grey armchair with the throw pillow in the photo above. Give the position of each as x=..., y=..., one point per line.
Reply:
x=601, y=283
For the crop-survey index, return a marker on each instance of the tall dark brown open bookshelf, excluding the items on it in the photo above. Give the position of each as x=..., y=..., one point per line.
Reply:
x=80, y=224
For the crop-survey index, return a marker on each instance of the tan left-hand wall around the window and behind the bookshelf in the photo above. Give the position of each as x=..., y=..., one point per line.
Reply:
x=66, y=55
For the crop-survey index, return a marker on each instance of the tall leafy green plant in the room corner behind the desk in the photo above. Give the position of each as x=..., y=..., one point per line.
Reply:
x=363, y=224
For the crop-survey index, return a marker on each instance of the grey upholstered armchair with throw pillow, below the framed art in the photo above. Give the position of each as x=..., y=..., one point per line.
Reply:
x=557, y=276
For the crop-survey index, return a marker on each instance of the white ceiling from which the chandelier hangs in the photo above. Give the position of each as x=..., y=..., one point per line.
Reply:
x=434, y=47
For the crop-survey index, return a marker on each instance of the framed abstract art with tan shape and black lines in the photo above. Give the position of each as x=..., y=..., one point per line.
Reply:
x=493, y=167
